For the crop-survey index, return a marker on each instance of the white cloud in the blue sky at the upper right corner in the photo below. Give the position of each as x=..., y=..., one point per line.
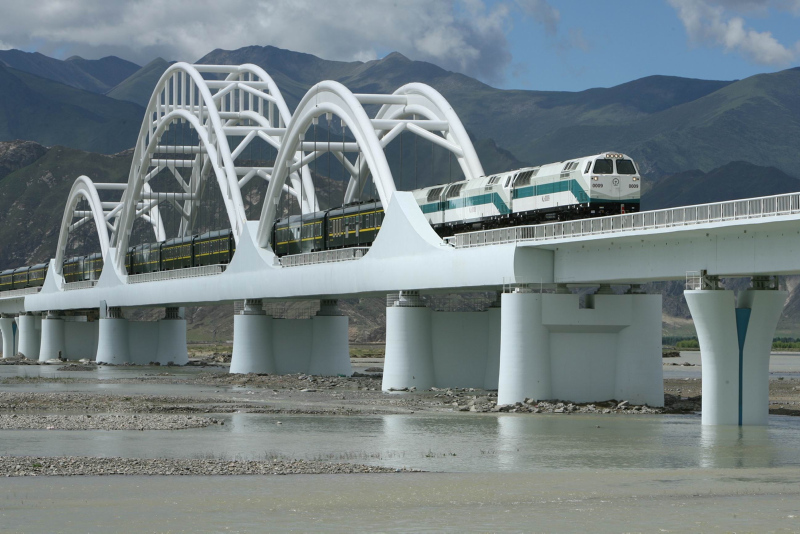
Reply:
x=711, y=22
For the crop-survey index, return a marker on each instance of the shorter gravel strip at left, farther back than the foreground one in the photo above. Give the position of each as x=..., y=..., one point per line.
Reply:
x=103, y=422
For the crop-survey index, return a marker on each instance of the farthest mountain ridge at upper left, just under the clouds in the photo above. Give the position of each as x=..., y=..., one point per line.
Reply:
x=96, y=76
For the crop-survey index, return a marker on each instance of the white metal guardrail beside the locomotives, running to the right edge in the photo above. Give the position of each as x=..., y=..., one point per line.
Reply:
x=751, y=208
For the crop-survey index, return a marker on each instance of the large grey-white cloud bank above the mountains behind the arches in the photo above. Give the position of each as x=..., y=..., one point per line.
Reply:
x=465, y=35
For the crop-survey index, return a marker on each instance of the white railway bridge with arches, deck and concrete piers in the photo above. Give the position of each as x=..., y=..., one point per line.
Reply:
x=201, y=136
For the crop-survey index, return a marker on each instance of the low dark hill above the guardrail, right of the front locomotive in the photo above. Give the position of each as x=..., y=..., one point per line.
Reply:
x=732, y=181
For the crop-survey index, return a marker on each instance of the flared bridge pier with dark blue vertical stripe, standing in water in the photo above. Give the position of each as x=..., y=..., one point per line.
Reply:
x=735, y=343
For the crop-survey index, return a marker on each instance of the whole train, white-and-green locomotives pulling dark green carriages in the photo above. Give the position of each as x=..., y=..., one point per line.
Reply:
x=608, y=183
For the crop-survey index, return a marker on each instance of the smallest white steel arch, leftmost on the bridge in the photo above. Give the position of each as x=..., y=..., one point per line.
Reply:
x=84, y=188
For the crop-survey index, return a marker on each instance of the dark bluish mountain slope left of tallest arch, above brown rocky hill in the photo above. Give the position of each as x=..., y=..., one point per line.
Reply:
x=51, y=113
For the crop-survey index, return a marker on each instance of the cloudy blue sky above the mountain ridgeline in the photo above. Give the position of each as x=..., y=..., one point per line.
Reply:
x=565, y=45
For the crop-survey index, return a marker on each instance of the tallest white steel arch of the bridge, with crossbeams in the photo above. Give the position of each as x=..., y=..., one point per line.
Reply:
x=244, y=105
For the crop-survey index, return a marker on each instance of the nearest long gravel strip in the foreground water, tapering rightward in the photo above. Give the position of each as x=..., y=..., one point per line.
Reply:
x=16, y=466
